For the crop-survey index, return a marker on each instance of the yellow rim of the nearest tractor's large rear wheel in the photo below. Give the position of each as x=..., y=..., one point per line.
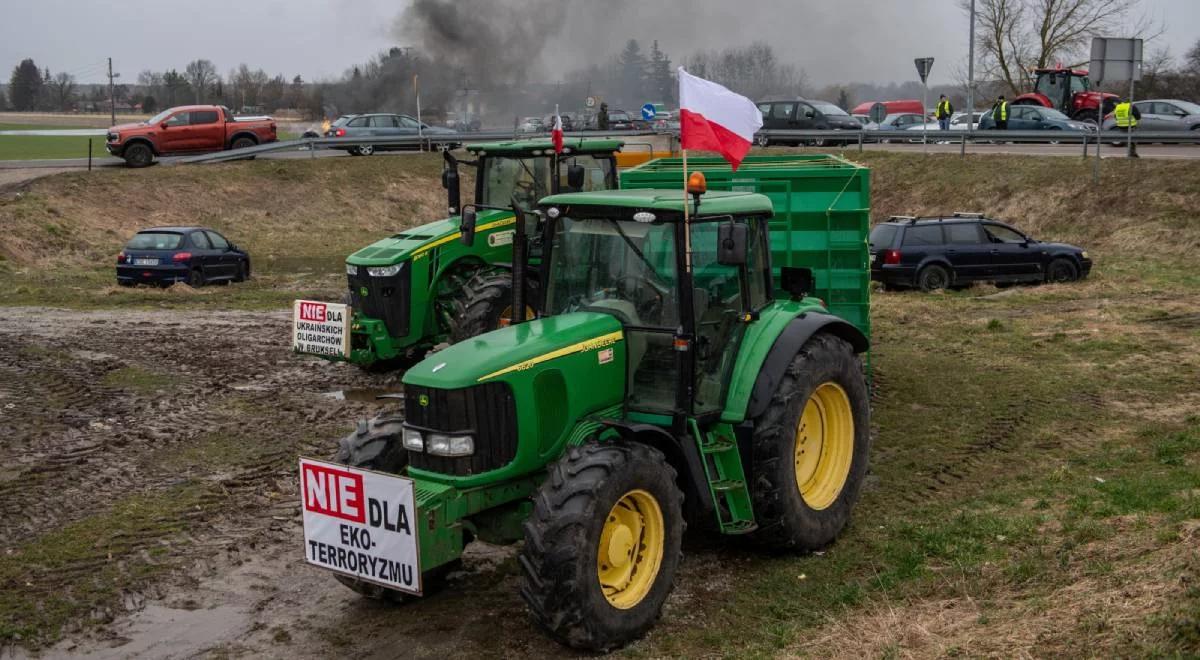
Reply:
x=825, y=446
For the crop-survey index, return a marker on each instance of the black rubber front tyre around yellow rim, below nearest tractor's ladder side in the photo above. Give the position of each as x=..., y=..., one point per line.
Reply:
x=561, y=560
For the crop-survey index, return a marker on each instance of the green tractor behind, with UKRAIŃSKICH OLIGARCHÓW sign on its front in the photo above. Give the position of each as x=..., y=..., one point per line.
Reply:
x=423, y=287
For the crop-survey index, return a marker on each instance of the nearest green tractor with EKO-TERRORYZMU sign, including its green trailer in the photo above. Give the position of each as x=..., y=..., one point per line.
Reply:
x=681, y=370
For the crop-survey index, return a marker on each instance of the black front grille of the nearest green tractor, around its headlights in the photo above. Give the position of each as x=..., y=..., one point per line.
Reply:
x=488, y=412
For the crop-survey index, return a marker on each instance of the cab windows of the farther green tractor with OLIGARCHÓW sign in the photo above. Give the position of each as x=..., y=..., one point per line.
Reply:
x=529, y=178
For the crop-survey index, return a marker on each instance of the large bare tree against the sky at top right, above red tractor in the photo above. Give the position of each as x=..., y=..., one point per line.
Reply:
x=1017, y=37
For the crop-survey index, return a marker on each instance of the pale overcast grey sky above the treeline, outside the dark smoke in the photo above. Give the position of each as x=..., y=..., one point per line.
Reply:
x=848, y=40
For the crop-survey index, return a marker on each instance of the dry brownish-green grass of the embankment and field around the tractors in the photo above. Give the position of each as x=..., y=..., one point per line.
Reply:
x=1036, y=466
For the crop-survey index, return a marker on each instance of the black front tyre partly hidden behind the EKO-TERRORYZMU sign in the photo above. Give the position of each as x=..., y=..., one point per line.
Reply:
x=376, y=445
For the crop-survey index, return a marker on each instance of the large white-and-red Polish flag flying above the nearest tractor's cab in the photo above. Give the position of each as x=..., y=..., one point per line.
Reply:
x=715, y=119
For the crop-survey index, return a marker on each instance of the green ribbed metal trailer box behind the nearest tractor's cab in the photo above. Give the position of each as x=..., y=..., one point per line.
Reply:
x=823, y=218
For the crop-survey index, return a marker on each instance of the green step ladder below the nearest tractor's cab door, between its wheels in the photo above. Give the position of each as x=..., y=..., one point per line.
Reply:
x=727, y=479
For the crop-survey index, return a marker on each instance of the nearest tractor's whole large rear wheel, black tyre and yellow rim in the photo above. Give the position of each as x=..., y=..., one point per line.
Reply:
x=811, y=448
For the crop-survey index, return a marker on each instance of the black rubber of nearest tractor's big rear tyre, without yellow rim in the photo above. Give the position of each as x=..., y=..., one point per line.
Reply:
x=787, y=523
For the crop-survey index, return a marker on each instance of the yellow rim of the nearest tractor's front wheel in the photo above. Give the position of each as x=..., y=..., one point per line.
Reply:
x=631, y=549
